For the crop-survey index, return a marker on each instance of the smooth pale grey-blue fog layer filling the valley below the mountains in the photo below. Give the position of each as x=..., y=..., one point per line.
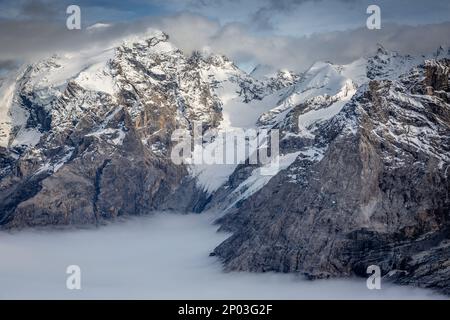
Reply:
x=164, y=256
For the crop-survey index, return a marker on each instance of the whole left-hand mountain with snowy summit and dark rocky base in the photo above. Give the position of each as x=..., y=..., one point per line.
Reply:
x=104, y=137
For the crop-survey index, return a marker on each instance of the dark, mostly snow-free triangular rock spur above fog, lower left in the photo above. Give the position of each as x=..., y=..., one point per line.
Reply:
x=96, y=181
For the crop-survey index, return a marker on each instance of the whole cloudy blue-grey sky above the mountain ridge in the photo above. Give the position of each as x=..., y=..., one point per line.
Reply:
x=281, y=33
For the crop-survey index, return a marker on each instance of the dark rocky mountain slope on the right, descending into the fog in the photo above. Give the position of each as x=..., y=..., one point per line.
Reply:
x=380, y=195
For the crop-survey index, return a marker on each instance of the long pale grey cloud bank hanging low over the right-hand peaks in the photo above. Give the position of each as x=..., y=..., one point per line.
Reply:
x=338, y=47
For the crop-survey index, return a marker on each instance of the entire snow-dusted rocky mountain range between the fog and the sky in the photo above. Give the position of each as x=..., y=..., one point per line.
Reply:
x=364, y=153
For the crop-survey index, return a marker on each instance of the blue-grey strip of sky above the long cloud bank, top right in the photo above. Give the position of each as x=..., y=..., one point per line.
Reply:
x=309, y=16
